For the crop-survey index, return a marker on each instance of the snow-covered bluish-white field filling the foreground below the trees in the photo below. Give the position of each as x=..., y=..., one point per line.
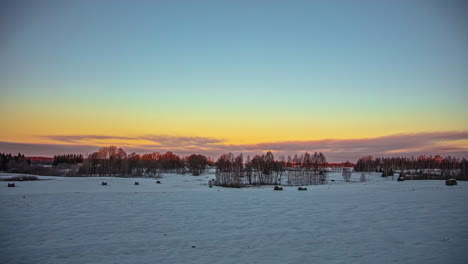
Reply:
x=76, y=220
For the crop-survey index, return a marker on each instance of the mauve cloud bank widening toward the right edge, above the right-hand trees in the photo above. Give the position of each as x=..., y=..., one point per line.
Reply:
x=429, y=143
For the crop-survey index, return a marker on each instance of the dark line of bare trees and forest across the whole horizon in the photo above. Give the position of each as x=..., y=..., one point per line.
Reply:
x=231, y=170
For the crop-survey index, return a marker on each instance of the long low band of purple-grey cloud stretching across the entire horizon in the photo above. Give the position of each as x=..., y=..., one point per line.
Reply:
x=429, y=143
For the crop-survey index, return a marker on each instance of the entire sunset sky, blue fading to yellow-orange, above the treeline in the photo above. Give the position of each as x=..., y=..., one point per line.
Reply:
x=348, y=78
